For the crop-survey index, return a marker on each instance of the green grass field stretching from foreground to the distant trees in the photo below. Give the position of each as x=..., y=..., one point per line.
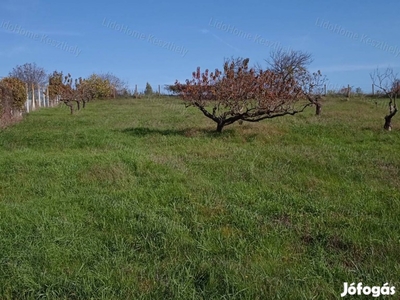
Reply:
x=141, y=199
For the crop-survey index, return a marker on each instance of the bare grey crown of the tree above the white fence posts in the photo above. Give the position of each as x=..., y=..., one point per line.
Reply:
x=30, y=73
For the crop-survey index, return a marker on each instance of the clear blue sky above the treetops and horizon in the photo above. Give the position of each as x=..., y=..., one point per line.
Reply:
x=160, y=41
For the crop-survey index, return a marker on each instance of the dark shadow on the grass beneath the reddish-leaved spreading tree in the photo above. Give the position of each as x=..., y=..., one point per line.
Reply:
x=188, y=132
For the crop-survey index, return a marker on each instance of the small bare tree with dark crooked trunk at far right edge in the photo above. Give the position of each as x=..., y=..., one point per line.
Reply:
x=388, y=83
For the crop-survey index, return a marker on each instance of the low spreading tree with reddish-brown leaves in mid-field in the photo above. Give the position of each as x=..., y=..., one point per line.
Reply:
x=240, y=93
